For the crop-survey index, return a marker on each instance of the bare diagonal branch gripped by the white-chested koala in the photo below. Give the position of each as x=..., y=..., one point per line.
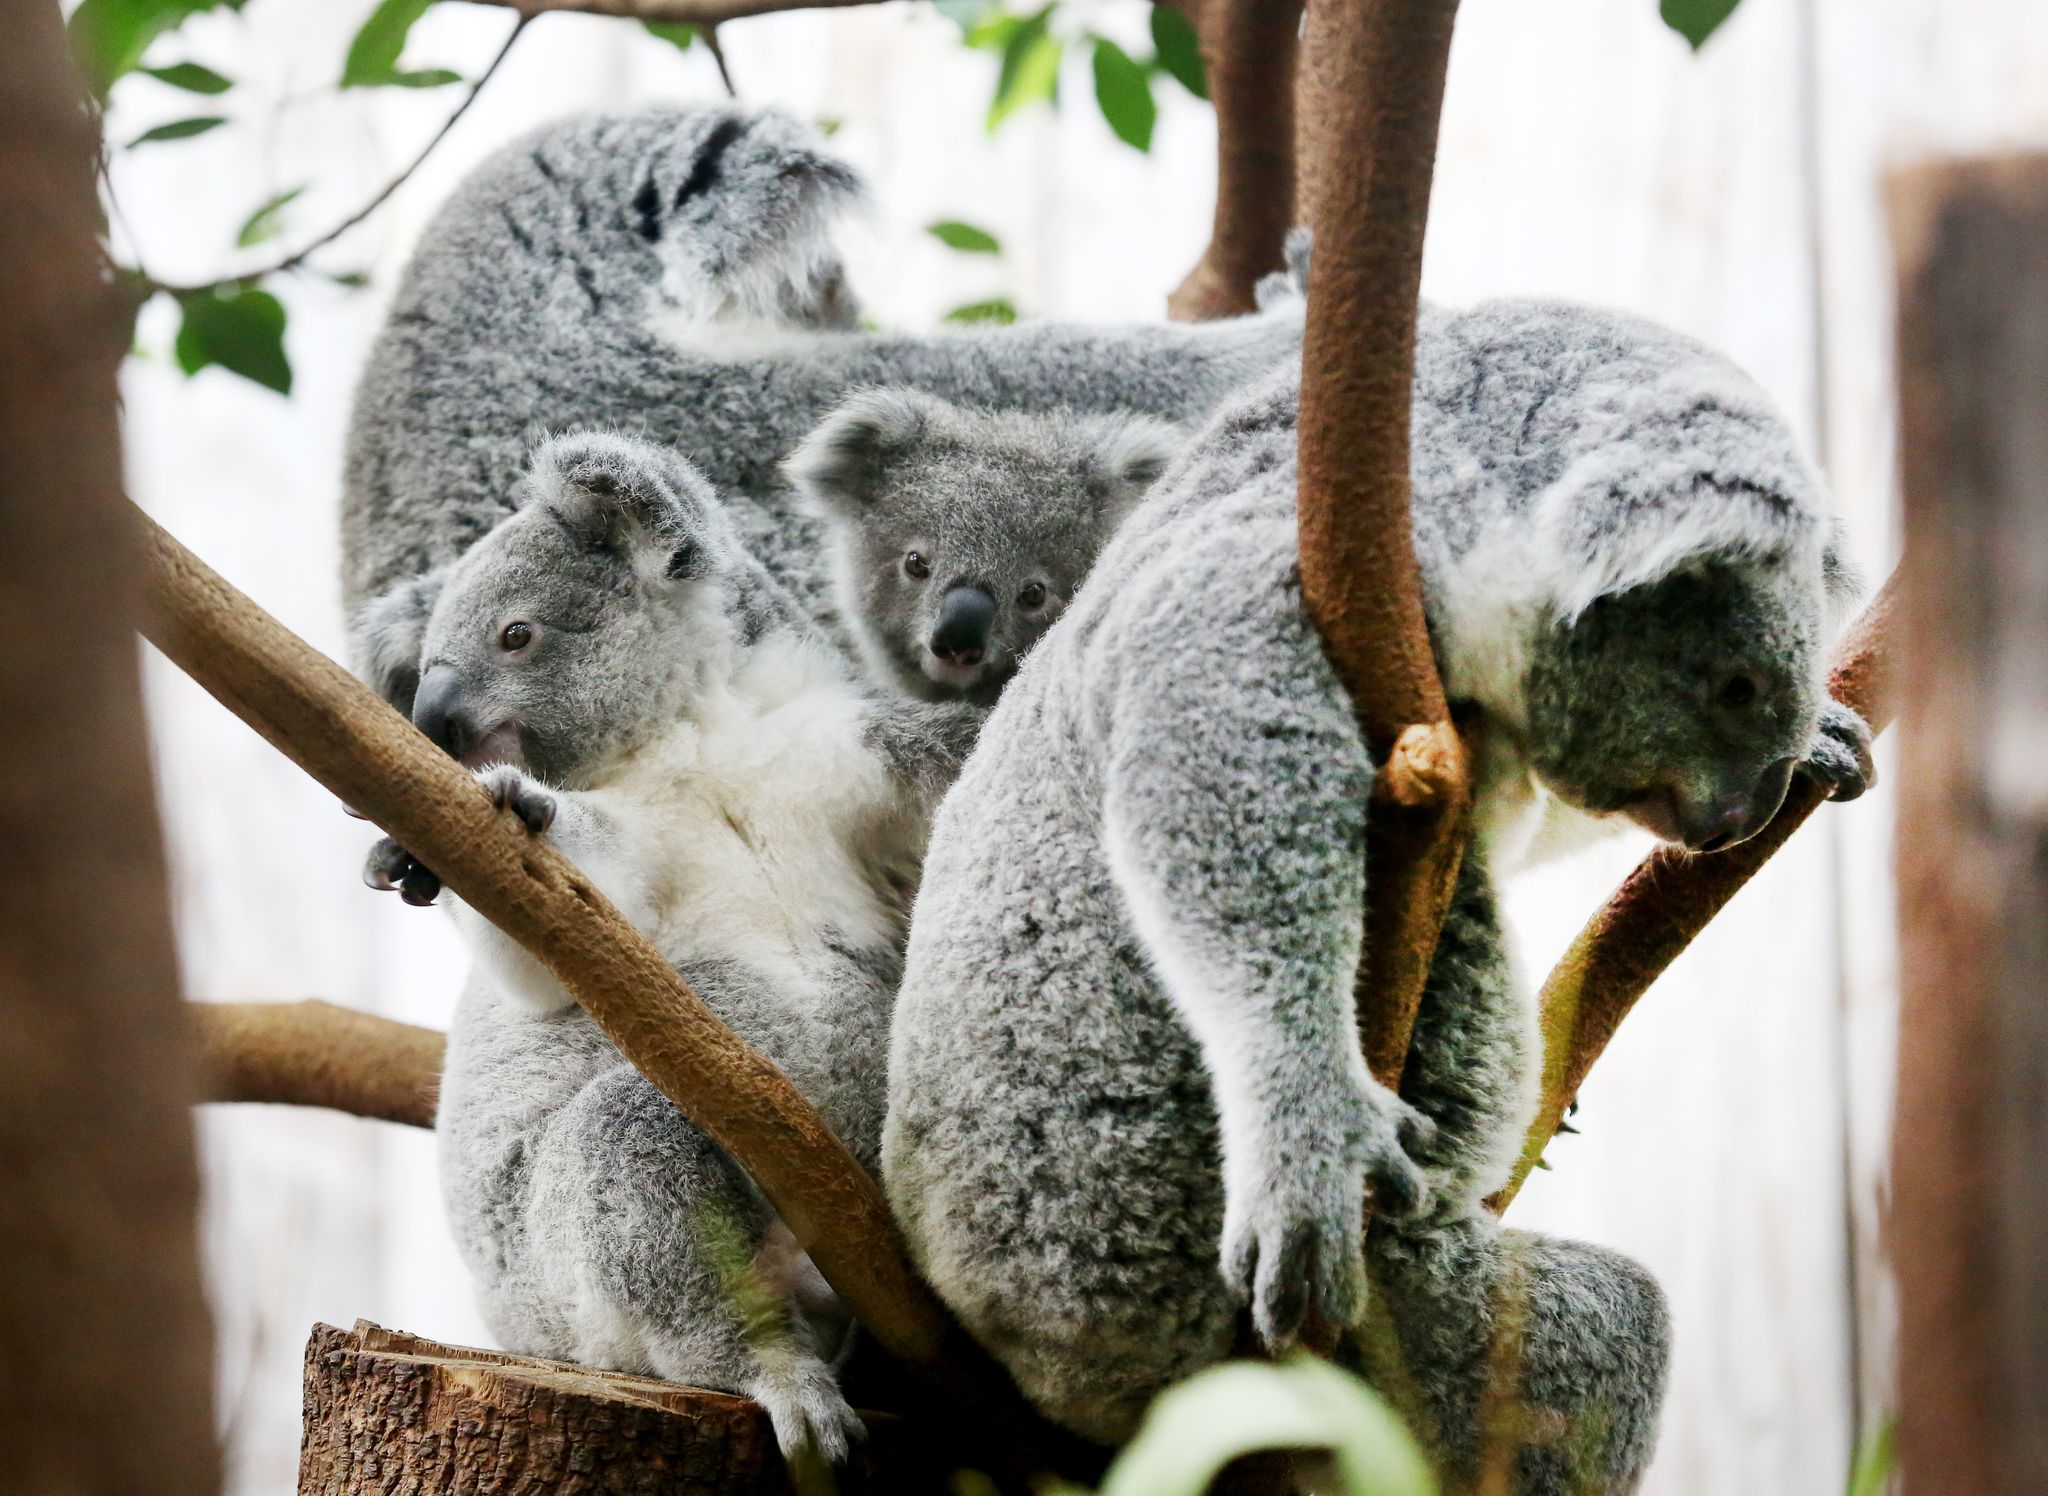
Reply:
x=355, y=745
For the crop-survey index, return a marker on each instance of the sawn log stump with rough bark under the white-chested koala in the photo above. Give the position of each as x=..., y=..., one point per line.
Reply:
x=394, y=1415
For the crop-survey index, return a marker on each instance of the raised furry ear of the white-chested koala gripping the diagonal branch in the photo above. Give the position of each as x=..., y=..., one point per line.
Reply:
x=630, y=497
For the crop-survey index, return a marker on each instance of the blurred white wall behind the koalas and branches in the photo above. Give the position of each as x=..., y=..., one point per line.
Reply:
x=1736, y=1134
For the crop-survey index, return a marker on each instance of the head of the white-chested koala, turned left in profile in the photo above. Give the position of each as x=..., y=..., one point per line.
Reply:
x=587, y=618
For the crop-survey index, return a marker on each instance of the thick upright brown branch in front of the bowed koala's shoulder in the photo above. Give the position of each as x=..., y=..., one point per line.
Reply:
x=1373, y=91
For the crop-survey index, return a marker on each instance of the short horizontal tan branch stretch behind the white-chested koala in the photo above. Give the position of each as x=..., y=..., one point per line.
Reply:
x=314, y=1054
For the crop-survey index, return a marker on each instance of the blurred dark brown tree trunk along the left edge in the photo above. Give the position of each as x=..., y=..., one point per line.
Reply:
x=97, y=1175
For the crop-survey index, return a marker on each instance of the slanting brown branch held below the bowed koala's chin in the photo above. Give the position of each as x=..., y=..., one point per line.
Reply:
x=1672, y=897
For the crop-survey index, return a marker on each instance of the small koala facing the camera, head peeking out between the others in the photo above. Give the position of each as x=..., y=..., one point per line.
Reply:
x=943, y=577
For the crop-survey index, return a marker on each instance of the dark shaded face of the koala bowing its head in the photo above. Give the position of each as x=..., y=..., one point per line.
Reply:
x=1684, y=704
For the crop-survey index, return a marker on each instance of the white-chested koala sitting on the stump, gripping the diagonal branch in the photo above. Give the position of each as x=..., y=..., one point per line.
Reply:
x=628, y=679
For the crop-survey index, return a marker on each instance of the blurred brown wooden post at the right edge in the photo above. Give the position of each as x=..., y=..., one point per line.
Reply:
x=1969, y=1227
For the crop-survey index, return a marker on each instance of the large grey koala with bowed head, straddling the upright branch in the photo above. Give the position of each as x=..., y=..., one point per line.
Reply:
x=1125, y=1081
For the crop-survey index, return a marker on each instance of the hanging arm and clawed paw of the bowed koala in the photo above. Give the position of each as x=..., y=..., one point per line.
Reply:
x=1234, y=825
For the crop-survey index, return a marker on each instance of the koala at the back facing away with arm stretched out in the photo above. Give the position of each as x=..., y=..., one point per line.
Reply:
x=669, y=274
